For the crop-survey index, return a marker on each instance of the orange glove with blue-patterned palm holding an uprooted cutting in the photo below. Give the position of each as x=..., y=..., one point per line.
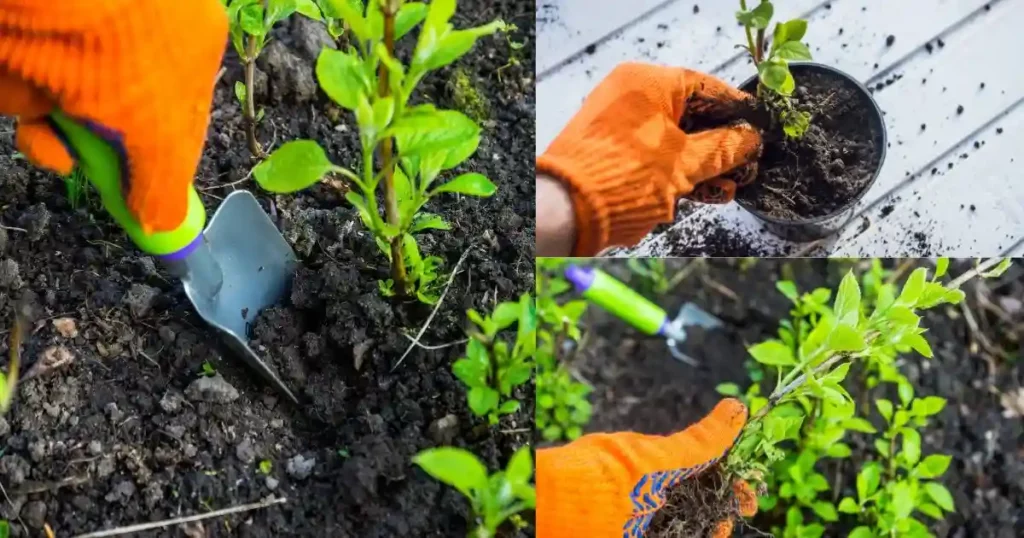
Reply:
x=612, y=485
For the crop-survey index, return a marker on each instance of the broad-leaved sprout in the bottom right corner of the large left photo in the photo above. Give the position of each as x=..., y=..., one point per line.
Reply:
x=494, y=499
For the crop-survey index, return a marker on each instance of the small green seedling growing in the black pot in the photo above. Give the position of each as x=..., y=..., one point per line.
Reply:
x=774, y=64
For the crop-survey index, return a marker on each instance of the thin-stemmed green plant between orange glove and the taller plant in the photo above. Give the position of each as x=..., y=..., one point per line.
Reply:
x=251, y=22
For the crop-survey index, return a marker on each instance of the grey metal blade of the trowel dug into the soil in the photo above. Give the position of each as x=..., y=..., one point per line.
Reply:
x=257, y=265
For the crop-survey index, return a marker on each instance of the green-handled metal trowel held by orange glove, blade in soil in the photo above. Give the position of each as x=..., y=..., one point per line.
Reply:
x=231, y=271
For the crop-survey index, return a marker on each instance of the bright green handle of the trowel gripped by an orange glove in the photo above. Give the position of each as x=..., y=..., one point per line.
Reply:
x=102, y=165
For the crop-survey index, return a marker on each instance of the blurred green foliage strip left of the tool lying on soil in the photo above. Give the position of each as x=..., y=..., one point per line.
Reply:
x=563, y=408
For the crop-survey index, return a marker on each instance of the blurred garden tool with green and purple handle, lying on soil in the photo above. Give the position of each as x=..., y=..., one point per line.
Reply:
x=619, y=300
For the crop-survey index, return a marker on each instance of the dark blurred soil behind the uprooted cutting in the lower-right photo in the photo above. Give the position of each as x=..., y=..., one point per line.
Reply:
x=639, y=387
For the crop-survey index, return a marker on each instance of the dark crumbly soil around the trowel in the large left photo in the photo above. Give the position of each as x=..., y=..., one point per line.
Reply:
x=118, y=438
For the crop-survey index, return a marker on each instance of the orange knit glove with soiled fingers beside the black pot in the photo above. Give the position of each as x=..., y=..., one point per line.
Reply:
x=627, y=161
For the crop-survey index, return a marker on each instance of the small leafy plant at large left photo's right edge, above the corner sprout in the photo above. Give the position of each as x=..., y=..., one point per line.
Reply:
x=491, y=369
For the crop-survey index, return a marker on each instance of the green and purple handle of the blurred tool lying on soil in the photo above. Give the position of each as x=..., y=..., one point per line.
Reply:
x=618, y=299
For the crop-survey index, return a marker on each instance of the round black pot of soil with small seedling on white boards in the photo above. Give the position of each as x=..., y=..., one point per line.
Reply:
x=824, y=135
